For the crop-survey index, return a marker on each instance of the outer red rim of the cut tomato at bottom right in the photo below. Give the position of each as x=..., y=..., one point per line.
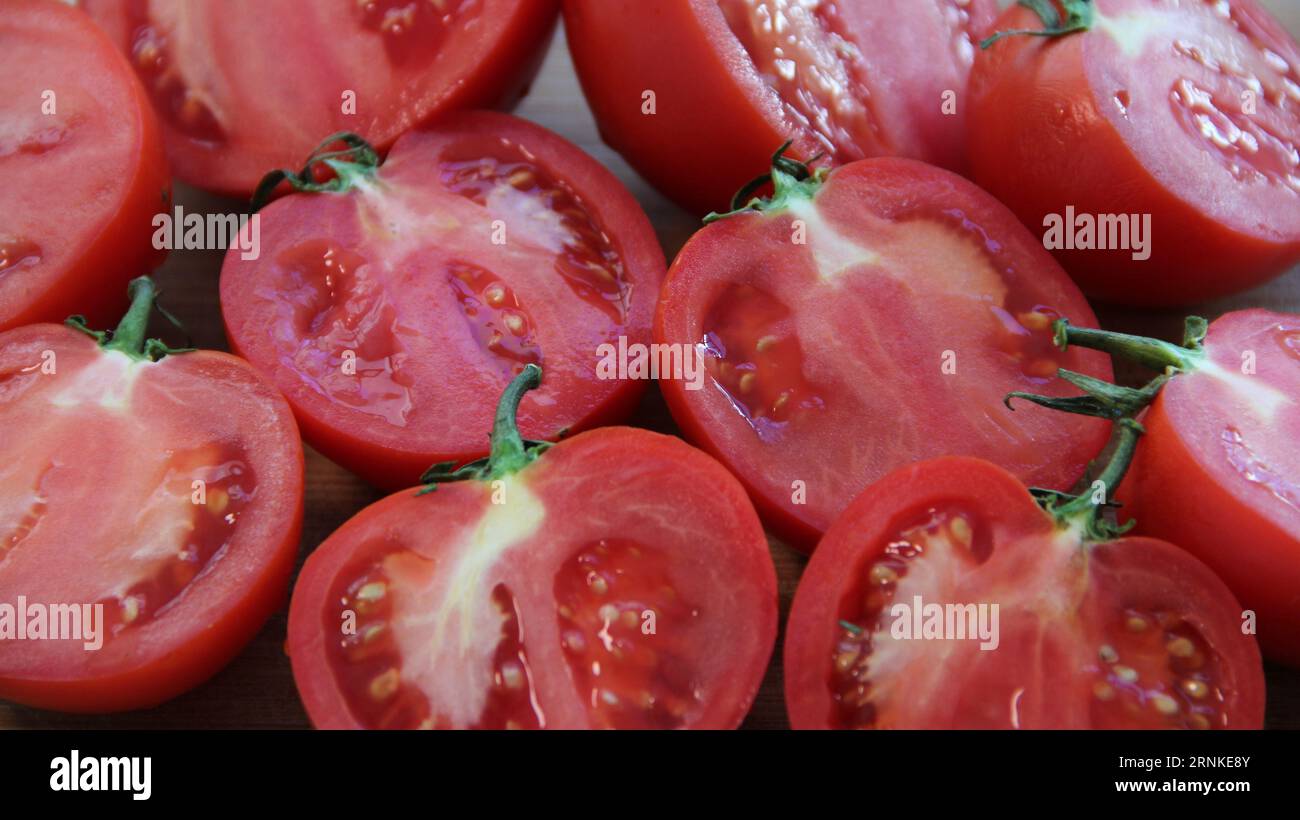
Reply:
x=859, y=535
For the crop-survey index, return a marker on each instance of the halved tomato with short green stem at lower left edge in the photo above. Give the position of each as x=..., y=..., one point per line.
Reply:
x=180, y=520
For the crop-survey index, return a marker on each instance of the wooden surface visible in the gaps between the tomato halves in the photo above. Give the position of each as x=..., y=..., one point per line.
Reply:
x=257, y=691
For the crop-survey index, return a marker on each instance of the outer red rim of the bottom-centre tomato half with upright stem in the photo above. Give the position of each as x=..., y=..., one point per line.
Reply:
x=604, y=452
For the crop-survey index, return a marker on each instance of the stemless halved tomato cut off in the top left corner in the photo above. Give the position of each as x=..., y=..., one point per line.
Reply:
x=83, y=164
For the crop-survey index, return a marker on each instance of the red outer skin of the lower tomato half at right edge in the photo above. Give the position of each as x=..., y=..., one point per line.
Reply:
x=1176, y=494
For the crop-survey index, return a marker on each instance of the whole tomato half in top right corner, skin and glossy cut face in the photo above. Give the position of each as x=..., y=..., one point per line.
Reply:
x=1185, y=112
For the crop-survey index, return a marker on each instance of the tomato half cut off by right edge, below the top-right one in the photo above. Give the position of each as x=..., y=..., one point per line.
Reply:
x=1219, y=472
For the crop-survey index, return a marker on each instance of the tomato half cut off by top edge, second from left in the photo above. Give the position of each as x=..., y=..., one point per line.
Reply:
x=244, y=86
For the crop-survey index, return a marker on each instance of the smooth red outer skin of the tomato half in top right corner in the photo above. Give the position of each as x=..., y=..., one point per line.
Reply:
x=1039, y=140
